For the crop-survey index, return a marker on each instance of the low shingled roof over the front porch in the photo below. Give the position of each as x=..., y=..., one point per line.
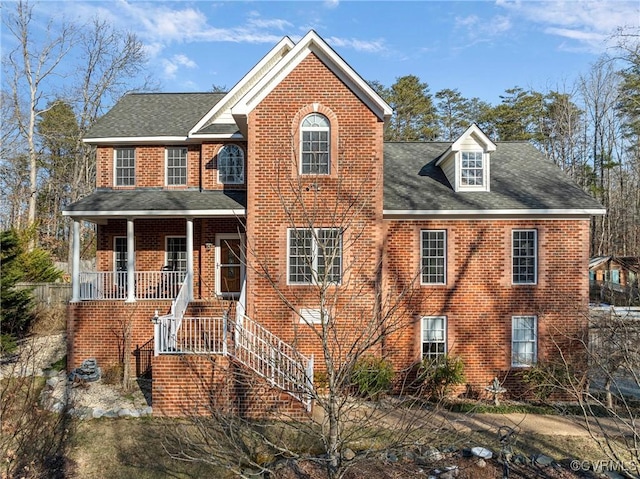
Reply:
x=157, y=202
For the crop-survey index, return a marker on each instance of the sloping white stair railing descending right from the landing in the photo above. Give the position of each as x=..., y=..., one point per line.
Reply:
x=271, y=358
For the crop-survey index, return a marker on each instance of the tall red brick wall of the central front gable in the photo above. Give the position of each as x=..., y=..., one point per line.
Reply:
x=279, y=198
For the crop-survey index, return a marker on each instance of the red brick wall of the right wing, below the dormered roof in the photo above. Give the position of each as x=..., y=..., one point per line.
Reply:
x=479, y=299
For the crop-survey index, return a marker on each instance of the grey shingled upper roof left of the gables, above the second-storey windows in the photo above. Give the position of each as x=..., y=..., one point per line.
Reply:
x=153, y=115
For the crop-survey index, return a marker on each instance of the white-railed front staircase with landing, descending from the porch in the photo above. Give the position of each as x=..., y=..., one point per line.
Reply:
x=243, y=340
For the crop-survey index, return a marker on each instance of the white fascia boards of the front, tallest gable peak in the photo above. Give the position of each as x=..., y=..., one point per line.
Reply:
x=311, y=43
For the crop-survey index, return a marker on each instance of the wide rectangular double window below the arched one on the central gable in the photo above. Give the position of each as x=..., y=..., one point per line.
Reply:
x=314, y=255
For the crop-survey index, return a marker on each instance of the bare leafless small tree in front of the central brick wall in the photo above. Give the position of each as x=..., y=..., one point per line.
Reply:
x=356, y=315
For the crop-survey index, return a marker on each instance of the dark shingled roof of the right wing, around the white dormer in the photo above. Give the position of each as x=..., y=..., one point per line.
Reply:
x=523, y=181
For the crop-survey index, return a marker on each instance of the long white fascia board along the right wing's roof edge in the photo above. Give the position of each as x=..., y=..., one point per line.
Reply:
x=493, y=214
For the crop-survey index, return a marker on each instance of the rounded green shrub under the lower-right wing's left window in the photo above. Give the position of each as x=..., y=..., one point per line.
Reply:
x=437, y=376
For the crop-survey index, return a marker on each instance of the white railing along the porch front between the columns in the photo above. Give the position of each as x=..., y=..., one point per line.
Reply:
x=112, y=285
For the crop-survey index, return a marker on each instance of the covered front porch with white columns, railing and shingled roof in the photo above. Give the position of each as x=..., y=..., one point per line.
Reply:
x=152, y=242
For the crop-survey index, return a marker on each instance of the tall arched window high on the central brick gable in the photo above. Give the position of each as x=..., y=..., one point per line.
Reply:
x=315, y=150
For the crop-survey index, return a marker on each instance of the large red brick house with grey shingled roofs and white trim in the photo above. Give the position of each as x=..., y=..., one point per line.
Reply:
x=221, y=216
